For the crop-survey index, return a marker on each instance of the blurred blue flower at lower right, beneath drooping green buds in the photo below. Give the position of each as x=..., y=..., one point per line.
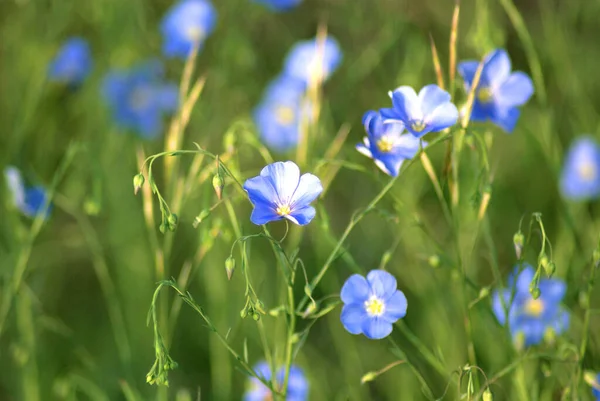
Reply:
x=530, y=319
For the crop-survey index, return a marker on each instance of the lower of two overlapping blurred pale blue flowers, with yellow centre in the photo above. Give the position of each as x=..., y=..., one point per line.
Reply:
x=280, y=113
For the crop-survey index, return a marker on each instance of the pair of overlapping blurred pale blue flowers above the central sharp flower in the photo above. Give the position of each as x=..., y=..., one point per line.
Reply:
x=284, y=107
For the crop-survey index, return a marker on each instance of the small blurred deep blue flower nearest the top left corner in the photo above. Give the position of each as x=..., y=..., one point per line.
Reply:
x=72, y=64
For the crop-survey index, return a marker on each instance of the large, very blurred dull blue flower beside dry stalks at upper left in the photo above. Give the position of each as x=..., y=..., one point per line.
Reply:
x=139, y=97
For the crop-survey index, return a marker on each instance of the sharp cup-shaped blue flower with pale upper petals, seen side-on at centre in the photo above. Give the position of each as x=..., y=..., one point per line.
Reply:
x=280, y=193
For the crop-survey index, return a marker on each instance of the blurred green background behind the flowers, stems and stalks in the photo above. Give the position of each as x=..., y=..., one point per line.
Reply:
x=59, y=341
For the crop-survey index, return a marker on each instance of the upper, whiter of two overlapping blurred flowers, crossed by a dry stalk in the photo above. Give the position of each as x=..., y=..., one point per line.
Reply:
x=313, y=60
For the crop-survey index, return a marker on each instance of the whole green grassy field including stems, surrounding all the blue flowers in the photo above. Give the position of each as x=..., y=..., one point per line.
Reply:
x=77, y=287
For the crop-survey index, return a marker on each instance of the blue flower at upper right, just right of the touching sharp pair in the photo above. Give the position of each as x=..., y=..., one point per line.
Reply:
x=499, y=92
